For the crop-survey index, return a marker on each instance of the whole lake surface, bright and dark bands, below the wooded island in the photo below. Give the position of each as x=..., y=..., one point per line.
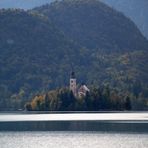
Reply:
x=74, y=130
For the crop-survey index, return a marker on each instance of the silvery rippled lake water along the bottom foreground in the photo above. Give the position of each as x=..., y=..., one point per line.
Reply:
x=72, y=140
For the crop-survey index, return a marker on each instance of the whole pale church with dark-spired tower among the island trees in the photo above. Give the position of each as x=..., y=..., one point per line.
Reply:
x=78, y=92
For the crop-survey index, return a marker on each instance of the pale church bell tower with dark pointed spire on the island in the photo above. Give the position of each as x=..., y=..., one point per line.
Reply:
x=73, y=84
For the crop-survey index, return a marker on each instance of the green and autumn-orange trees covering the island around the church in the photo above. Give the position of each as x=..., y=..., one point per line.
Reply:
x=98, y=99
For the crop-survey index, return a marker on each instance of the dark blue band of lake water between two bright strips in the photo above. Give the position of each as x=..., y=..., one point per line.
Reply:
x=74, y=126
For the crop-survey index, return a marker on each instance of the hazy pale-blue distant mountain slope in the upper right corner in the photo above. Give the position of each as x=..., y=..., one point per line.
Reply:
x=137, y=10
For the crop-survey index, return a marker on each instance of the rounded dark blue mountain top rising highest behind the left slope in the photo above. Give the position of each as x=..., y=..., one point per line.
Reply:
x=94, y=25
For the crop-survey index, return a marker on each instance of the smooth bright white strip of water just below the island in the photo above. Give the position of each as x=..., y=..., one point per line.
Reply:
x=120, y=116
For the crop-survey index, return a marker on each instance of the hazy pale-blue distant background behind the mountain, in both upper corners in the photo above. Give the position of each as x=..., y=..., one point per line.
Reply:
x=136, y=10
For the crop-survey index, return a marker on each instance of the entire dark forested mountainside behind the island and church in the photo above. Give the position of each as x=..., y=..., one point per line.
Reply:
x=39, y=49
